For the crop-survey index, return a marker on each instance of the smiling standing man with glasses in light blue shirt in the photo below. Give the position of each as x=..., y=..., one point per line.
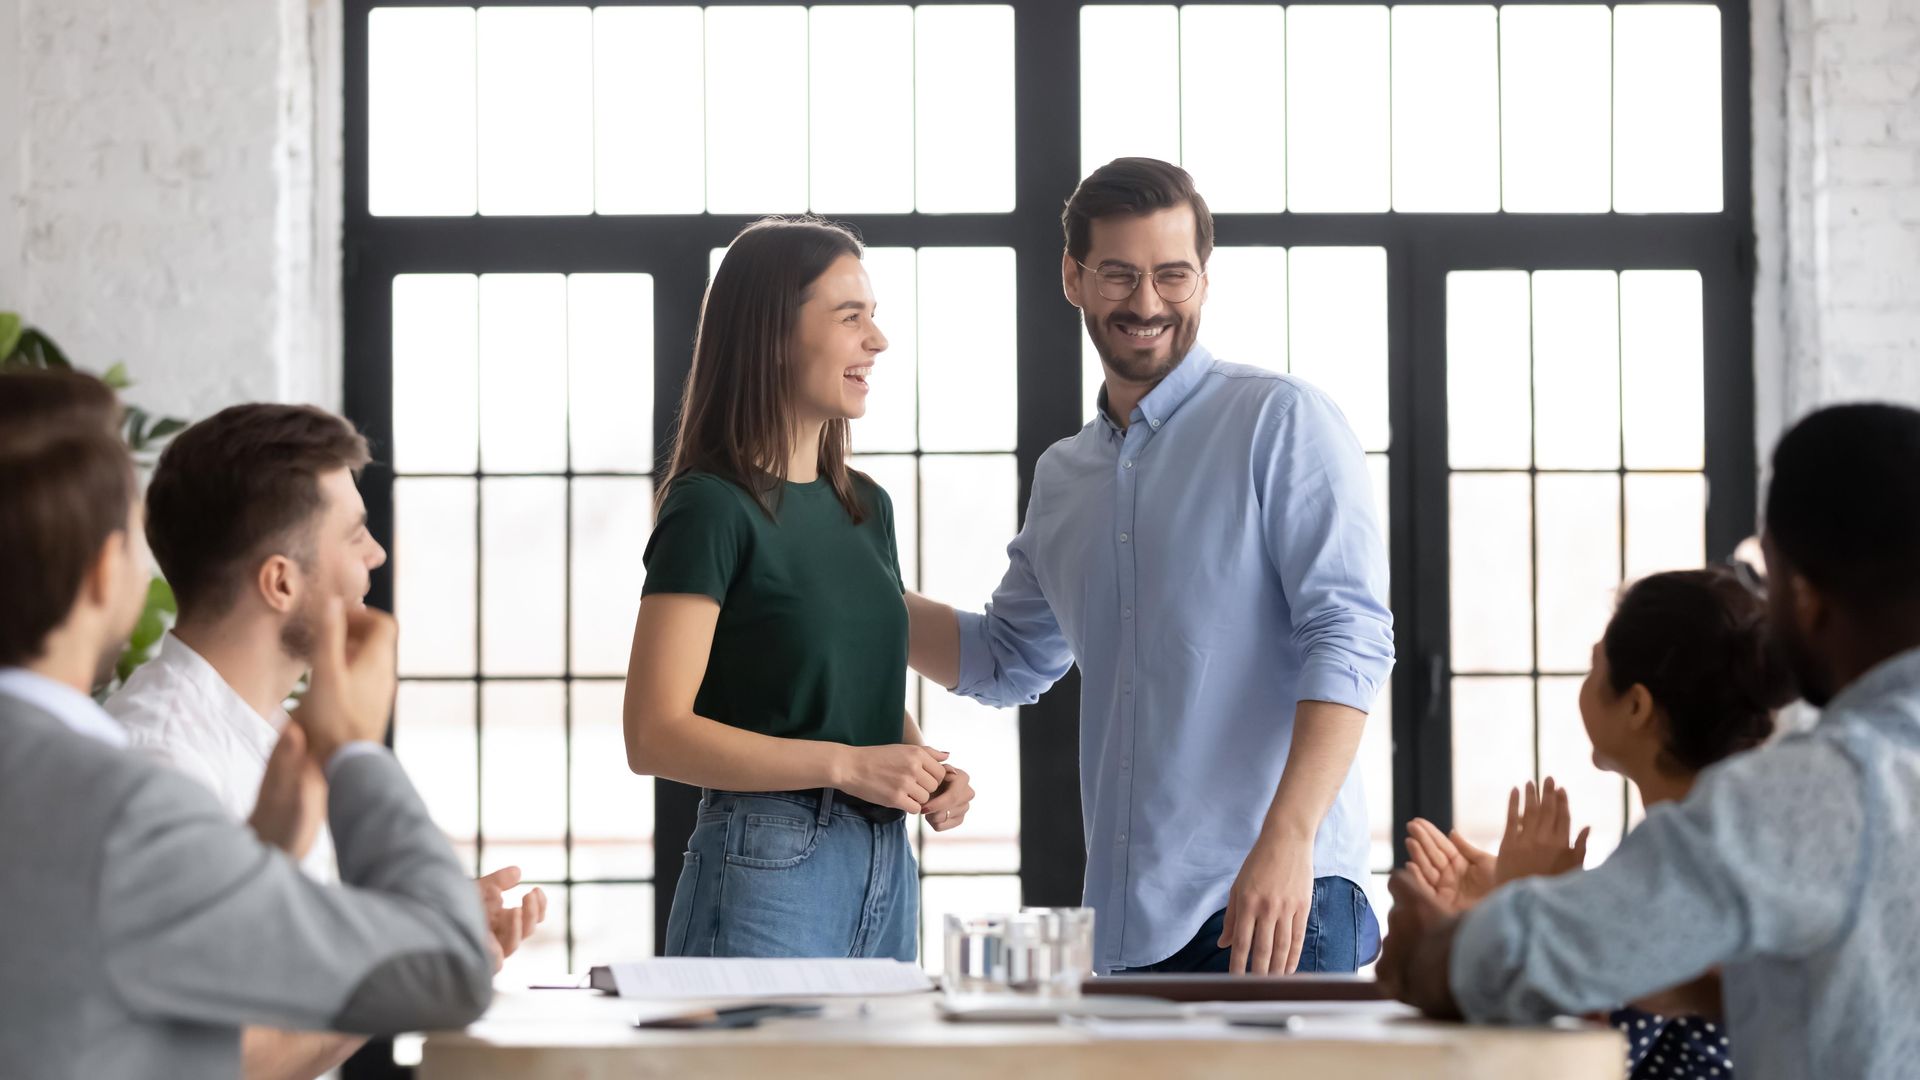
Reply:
x=1207, y=551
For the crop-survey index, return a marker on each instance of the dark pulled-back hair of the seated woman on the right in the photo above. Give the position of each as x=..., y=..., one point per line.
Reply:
x=1698, y=643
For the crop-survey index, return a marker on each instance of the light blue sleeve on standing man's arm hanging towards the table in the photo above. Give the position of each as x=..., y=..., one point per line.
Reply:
x=1324, y=539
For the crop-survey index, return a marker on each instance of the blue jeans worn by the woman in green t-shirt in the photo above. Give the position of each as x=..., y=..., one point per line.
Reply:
x=796, y=875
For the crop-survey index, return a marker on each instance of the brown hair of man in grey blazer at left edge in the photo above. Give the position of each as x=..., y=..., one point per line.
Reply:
x=66, y=487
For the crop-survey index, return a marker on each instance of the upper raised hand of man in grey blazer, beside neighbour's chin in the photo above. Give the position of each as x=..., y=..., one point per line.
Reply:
x=352, y=691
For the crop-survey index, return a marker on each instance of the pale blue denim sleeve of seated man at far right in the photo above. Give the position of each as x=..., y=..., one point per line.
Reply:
x=1762, y=860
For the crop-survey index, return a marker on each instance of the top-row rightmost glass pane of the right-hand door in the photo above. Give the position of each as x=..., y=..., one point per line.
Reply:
x=1664, y=370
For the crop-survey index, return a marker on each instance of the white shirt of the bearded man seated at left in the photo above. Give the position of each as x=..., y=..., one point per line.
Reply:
x=180, y=710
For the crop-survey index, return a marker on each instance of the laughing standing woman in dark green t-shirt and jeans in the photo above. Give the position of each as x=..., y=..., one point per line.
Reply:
x=771, y=652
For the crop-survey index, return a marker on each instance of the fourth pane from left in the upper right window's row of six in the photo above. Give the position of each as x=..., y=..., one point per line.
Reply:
x=1447, y=110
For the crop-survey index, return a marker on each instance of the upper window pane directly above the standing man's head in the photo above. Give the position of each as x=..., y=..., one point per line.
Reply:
x=1120, y=118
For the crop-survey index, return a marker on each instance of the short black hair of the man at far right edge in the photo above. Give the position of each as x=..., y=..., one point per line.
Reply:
x=1844, y=508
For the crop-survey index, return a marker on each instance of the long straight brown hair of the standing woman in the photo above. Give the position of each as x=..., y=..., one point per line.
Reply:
x=736, y=416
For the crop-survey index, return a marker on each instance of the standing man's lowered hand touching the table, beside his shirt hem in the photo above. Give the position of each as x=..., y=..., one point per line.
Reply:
x=1268, y=908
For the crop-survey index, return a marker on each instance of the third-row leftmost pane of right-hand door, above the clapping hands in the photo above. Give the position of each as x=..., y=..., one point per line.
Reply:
x=1493, y=752
